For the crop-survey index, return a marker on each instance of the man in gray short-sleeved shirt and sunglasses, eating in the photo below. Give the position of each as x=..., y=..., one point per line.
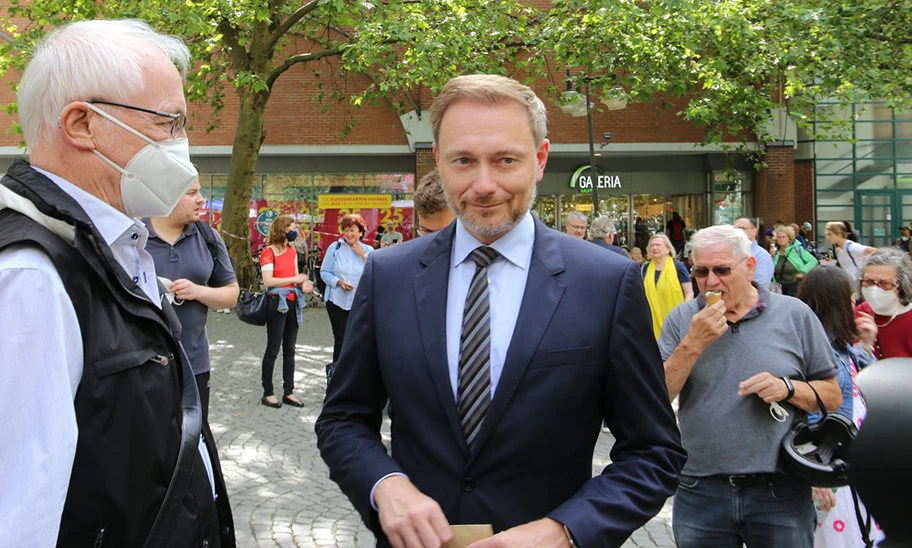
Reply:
x=730, y=361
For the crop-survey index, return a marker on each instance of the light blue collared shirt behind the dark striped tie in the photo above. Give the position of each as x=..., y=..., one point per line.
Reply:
x=507, y=277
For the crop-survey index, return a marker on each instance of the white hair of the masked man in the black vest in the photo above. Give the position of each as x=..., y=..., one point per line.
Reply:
x=88, y=60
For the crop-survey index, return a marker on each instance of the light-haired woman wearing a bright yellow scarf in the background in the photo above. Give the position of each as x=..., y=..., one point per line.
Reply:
x=666, y=281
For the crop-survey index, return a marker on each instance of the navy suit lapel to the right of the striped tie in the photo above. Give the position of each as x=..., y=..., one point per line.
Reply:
x=542, y=294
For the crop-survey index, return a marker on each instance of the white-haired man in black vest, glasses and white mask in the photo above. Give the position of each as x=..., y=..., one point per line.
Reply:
x=103, y=440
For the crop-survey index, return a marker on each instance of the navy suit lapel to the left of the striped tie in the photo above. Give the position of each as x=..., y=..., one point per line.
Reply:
x=431, y=301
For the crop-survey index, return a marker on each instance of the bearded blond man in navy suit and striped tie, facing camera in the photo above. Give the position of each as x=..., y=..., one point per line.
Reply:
x=511, y=343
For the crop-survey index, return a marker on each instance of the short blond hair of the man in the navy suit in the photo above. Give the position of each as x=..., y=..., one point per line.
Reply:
x=491, y=89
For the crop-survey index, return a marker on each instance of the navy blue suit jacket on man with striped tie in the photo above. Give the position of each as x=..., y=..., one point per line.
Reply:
x=582, y=351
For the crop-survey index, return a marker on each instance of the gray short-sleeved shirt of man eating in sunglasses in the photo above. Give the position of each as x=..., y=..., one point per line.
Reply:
x=723, y=432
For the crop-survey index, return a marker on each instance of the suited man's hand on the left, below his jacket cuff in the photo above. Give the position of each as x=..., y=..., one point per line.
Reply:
x=410, y=518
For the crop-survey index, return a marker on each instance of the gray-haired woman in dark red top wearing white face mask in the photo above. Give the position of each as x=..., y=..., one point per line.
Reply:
x=886, y=283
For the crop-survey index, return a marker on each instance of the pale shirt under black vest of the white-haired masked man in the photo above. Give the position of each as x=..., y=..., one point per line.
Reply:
x=41, y=366
